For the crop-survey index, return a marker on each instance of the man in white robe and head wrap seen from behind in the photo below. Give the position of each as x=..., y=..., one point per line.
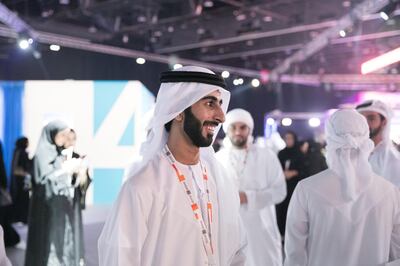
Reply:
x=346, y=215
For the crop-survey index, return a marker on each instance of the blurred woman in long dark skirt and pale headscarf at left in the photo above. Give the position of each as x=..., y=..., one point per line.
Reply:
x=51, y=232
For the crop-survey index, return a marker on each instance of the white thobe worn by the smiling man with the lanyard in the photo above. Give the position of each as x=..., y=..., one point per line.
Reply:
x=152, y=222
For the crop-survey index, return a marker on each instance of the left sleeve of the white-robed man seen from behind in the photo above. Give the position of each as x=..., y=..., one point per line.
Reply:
x=297, y=230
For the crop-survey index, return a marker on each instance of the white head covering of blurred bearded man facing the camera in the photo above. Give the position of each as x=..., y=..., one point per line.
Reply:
x=234, y=116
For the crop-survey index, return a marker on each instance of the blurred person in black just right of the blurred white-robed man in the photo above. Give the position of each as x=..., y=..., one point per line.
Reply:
x=293, y=169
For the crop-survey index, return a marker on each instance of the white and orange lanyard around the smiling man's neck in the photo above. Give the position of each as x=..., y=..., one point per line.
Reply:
x=205, y=232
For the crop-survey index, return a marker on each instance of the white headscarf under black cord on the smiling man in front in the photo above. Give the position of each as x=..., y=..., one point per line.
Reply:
x=172, y=99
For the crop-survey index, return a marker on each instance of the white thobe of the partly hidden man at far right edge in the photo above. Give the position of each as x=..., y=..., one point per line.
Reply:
x=385, y=161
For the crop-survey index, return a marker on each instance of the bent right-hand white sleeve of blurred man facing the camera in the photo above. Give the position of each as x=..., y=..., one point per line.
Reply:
x=274, y=192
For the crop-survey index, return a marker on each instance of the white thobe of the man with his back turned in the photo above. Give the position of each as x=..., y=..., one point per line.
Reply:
x=323, y=229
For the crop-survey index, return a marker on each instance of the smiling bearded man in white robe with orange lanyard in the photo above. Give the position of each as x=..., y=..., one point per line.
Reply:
x=178, y=208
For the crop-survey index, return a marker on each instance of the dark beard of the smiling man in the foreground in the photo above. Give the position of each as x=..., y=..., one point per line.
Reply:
x=192, y=127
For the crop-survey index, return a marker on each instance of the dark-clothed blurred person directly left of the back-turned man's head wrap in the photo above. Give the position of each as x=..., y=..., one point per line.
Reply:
x=313, y=159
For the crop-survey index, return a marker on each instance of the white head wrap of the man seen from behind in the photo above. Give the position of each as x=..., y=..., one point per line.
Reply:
x=348, y=148
